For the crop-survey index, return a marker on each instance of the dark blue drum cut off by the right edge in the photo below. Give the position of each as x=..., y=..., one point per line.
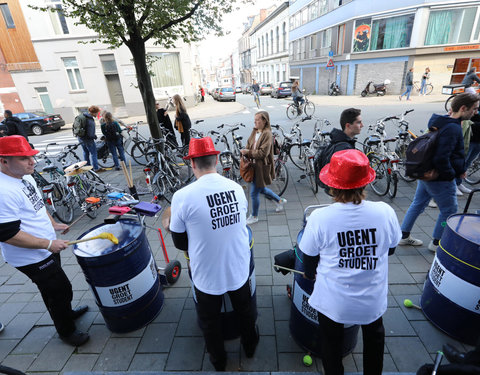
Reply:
x=451, y=296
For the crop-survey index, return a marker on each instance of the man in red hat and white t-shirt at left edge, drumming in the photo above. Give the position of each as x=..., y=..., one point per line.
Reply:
x=27, y=237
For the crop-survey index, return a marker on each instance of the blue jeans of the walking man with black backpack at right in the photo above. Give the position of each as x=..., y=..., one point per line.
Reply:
x=444, y=194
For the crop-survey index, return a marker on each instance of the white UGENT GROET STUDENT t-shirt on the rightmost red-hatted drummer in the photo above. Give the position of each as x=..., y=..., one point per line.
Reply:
x=352, y=275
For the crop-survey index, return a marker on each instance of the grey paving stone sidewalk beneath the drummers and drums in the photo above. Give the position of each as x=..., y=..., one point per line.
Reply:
x=173, y=341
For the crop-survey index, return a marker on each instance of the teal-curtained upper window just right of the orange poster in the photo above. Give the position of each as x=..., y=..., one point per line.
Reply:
x=394, y=32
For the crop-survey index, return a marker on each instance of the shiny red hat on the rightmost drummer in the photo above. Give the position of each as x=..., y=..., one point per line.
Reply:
x=348, y=169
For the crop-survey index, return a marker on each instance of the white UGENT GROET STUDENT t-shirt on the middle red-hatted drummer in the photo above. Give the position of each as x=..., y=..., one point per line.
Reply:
x=212, y=210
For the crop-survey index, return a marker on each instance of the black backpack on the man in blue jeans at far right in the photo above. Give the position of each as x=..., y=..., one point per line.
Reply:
x=419, y=155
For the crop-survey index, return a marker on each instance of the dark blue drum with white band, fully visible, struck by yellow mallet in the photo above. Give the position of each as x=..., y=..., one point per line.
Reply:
x=123, y=277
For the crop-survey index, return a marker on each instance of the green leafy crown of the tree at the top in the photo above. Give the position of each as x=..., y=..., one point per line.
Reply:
x=127, y=22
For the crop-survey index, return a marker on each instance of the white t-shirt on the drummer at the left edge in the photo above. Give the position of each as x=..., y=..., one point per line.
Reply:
x=21, y=200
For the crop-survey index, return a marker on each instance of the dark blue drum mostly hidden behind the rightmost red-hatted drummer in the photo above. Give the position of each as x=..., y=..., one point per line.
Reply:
x=304, y=318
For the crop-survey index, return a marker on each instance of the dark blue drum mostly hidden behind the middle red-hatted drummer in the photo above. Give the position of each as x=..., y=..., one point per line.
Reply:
x=230, y=323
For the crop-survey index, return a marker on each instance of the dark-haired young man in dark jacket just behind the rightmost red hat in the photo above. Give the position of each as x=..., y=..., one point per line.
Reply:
x=351, y=123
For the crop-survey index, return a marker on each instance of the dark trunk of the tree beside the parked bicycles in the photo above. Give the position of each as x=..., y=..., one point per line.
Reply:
x=137, y=48
